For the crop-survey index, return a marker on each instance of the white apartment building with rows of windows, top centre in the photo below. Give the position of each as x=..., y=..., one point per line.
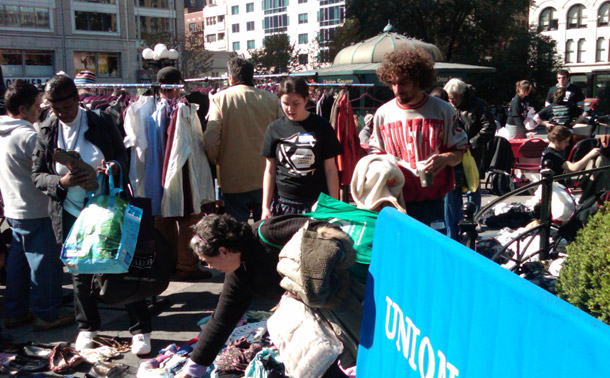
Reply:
x=242, y=25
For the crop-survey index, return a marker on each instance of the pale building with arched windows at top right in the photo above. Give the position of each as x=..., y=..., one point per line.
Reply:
x=581, y=29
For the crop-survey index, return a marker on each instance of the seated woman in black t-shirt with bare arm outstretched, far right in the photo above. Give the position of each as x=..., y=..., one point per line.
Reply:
x=559, y=138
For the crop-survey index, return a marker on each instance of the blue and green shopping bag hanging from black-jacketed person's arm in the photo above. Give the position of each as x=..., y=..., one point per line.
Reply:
x=103, y=238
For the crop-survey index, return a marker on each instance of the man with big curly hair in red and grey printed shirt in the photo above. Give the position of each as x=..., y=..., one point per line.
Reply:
x=416, y=127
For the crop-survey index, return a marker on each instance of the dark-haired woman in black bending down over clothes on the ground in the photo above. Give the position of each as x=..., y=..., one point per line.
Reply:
x=248, y=255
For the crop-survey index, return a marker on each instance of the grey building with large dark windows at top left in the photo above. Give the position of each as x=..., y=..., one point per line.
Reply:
x=104, y=36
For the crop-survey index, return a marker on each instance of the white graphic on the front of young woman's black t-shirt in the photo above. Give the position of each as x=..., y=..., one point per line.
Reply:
x=297, y=155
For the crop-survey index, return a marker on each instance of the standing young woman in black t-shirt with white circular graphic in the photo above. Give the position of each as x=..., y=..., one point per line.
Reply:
x=300, y=150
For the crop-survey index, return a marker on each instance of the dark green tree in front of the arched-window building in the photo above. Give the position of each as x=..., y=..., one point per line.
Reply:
x=528, y=55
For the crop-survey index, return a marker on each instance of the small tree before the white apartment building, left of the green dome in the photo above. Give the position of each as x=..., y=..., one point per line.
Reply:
x=276, y=55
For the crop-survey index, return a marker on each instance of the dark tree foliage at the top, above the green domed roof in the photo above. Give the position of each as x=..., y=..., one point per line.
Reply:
x=466, y=31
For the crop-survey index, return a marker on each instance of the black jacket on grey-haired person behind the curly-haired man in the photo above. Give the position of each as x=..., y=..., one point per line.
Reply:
x=477, y=121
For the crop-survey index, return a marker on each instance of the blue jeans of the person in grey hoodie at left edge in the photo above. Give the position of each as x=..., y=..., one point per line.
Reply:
x=33, y=262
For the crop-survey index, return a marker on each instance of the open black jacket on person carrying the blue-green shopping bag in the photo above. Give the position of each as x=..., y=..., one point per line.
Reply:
x=101, y=132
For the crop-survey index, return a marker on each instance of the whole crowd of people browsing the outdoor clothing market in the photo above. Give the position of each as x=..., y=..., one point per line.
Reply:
x=274, y=159
